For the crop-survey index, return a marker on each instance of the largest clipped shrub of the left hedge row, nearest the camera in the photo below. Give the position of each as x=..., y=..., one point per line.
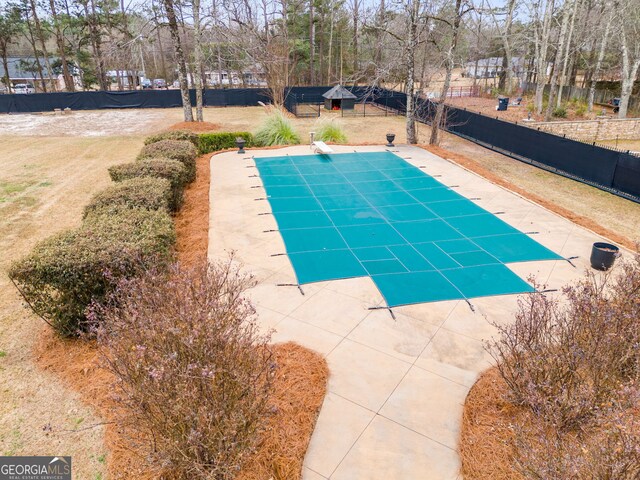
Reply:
x=64, y=274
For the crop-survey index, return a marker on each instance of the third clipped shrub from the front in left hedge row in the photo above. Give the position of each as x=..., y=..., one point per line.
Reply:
x=171, y=170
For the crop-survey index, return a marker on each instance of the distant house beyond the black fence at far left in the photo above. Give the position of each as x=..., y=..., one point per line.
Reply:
x=24, y=69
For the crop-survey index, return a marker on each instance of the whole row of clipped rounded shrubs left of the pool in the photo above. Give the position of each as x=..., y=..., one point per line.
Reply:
x=126, y=230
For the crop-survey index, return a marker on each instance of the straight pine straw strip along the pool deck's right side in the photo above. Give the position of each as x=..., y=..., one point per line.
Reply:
x=475, y=167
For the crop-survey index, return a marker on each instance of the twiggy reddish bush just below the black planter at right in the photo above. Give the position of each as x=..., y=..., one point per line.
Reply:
x=564, y=357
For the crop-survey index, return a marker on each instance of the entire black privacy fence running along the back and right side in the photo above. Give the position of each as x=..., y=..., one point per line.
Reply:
x=611, y=170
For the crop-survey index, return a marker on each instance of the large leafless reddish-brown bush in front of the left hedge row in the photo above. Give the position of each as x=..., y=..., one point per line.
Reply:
x=191, y=366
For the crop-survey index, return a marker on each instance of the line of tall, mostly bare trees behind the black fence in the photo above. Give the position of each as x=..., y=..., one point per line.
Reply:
x=405, y=44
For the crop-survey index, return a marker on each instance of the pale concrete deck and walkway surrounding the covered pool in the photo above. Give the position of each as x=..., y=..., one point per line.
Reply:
x=396, y=389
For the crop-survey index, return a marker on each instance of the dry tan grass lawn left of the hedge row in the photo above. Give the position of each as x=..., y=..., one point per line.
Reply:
x=44, y=185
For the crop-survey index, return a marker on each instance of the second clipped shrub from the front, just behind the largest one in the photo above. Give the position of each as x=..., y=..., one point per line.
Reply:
x=148, y=193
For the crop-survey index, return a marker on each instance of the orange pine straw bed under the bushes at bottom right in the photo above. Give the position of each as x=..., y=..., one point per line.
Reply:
x=497, y=435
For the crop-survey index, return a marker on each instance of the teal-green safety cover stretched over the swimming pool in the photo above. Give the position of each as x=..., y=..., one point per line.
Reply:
x=358, y=214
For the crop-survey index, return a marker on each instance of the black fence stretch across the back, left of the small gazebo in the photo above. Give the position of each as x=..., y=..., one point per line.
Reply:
x=43, y=102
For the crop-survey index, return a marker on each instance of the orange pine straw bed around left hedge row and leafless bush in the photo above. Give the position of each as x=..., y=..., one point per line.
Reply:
x=299, y=384
